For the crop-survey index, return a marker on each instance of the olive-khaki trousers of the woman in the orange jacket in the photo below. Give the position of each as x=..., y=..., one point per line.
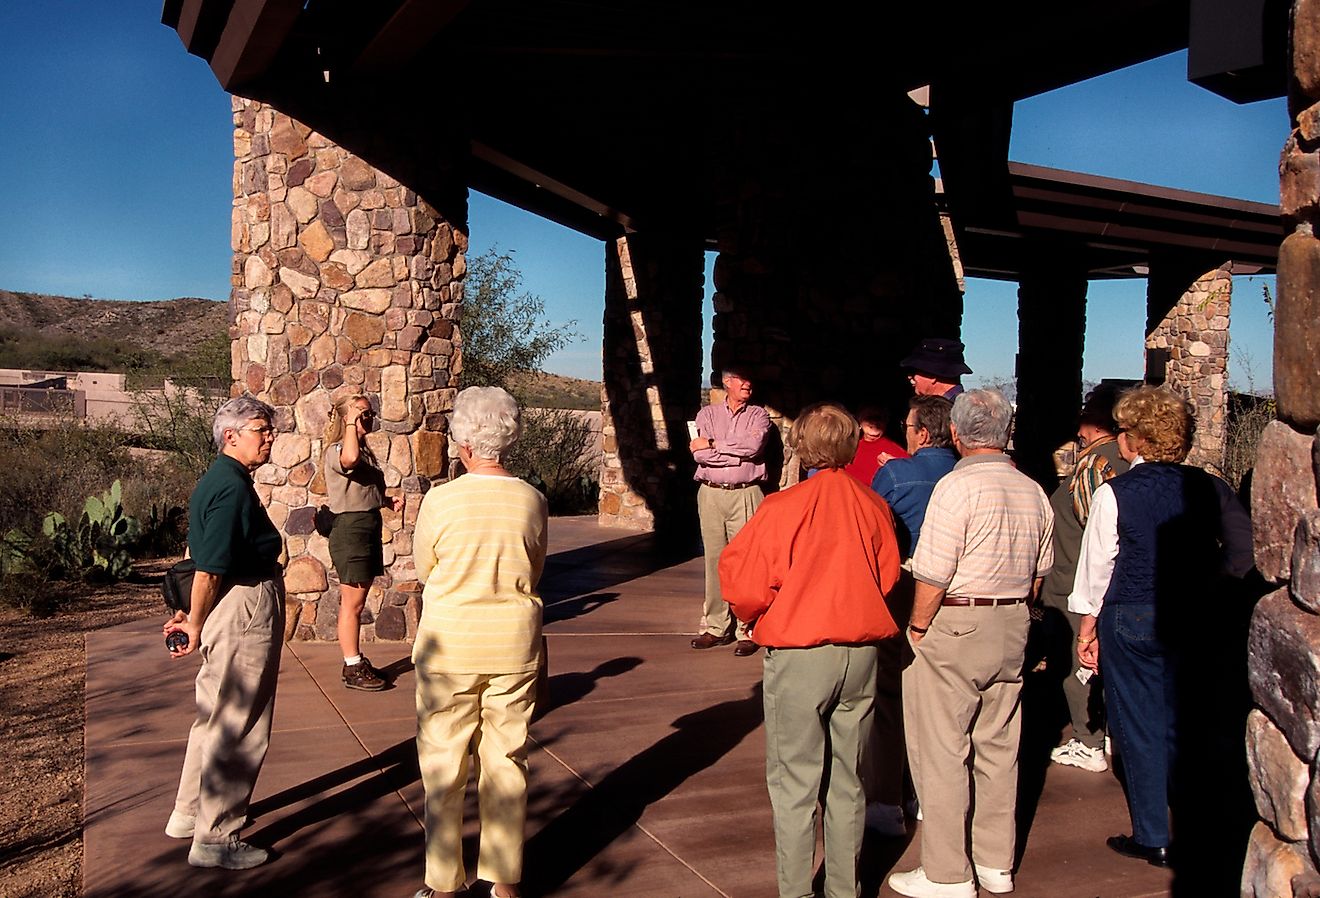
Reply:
x=818, y=712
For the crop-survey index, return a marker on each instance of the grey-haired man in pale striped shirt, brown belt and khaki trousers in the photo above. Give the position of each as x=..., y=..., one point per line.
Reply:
x=985, y=547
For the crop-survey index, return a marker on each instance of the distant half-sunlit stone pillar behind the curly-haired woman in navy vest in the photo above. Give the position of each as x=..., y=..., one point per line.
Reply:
x=1191, y=341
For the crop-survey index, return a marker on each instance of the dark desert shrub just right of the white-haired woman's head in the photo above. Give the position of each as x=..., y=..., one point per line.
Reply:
x=558, y=455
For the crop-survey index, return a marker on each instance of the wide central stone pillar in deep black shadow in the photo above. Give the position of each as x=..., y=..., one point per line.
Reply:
x=828, y=275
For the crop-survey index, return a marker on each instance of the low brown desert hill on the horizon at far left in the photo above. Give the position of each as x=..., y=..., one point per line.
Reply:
x=164, y=327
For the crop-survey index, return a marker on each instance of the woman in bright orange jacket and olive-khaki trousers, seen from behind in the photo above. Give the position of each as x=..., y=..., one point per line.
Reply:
x=810, y=572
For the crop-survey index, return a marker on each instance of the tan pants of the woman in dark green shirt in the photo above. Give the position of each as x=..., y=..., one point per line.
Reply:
x=236, y=705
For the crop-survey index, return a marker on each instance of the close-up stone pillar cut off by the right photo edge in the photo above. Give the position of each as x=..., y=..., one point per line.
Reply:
x=1284, y=739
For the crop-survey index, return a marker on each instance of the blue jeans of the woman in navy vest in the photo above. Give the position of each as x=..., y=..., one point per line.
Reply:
x=1140, y=697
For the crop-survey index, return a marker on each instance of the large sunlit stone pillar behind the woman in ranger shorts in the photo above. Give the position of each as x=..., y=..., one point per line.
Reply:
x=345, y=281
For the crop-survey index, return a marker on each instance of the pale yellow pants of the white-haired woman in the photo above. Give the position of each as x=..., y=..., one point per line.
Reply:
x=459, y=716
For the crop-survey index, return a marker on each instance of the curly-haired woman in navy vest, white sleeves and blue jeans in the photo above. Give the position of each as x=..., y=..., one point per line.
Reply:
x=1157, y=545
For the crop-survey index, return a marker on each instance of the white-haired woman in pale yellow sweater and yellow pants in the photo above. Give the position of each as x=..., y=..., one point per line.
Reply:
x=480, y=549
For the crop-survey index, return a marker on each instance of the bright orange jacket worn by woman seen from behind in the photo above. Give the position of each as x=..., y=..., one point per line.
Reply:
x=814, y=566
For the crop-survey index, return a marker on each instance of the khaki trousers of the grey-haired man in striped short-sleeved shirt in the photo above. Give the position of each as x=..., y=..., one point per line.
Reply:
x=962, y=699
